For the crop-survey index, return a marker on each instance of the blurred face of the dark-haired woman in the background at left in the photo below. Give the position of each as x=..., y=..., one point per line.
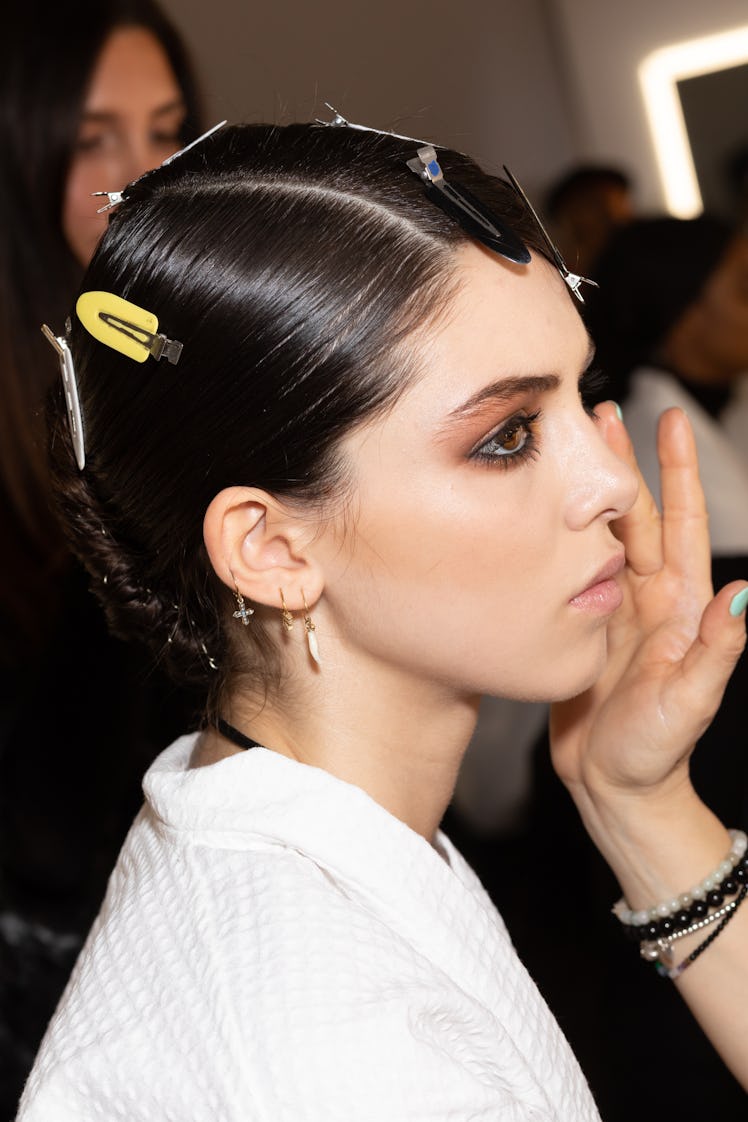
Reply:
x=133, y=115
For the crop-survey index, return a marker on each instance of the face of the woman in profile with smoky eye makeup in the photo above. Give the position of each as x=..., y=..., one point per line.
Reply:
x=484, y=500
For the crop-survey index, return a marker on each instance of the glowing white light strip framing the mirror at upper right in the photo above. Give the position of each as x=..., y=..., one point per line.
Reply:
x=659, y=77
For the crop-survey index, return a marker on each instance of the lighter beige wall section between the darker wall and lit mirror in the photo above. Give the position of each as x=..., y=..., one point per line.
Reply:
x=603, y=43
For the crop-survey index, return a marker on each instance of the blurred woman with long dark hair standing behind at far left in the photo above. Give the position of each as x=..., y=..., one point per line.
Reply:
x=91, y=96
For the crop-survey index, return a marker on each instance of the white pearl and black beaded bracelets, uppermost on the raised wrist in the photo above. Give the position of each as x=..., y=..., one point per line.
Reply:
x=662, y=921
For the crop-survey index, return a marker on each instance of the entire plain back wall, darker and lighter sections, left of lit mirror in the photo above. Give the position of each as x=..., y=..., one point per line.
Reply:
x=537, y=85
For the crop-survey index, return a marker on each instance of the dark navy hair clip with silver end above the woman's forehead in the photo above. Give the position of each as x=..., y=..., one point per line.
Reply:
x=465, y=208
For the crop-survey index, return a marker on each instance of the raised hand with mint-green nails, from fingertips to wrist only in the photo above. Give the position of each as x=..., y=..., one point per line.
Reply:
x=672, y=646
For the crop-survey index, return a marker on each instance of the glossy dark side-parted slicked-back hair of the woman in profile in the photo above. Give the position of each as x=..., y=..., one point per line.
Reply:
x=293, y=264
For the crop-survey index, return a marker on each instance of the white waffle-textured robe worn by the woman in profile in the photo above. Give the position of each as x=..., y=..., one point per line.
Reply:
x=276, y=946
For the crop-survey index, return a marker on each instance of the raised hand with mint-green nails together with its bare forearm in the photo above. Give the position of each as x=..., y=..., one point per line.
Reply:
x=623, y=748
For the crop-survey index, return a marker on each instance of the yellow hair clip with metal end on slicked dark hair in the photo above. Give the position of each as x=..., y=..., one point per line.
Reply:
x=126, y=328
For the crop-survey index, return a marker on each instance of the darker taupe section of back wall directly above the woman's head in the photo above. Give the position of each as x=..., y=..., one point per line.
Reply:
x=477, y=75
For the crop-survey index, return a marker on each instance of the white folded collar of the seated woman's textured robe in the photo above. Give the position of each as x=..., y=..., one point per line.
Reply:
x=261, y=797
